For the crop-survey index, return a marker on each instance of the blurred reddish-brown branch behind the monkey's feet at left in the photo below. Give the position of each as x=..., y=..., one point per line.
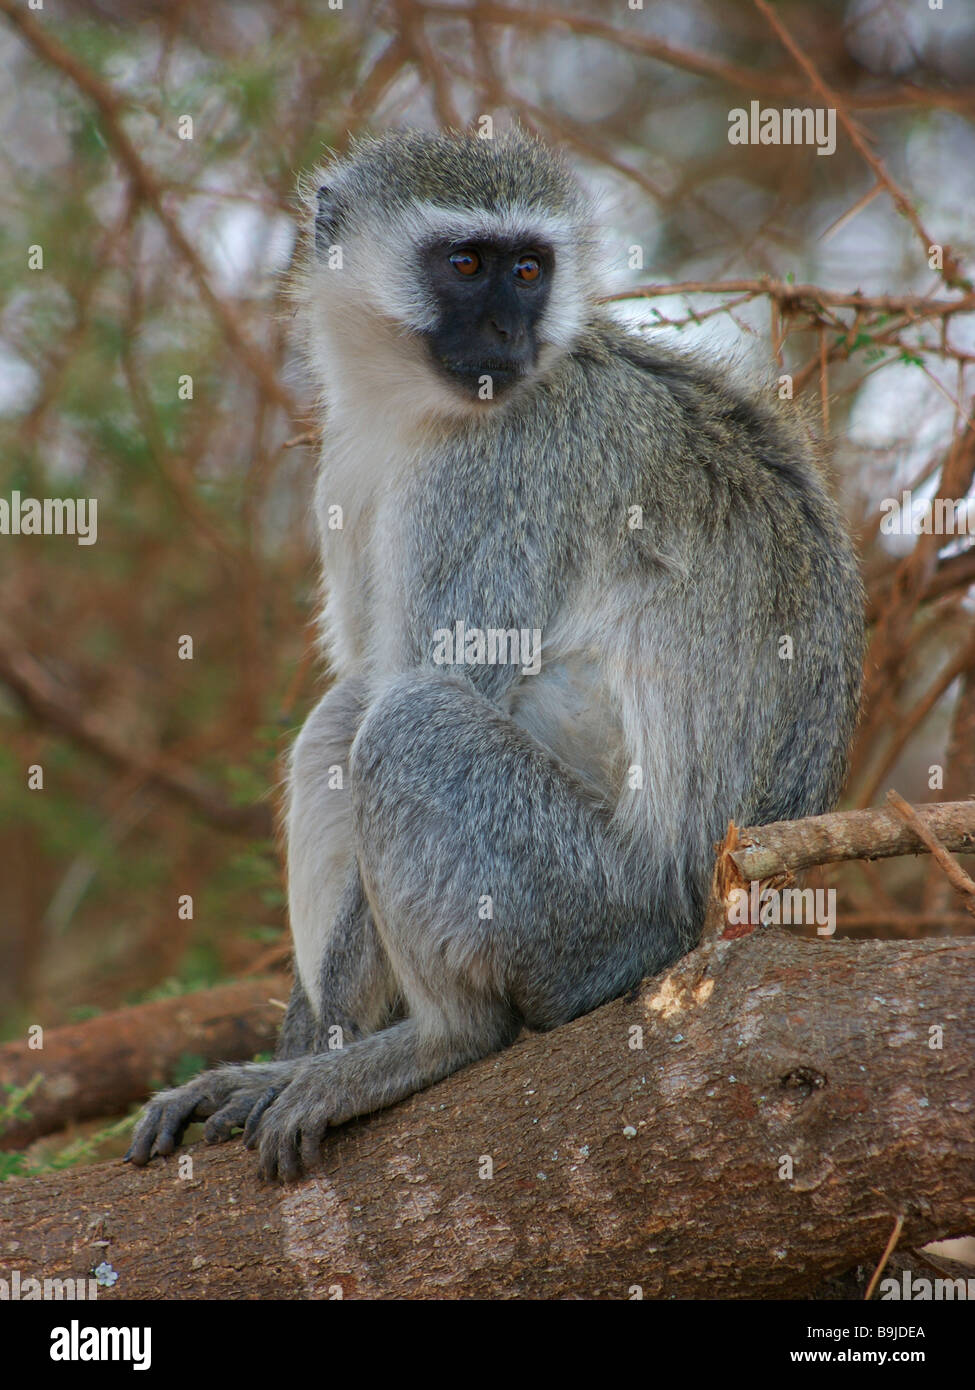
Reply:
x=104, y=1065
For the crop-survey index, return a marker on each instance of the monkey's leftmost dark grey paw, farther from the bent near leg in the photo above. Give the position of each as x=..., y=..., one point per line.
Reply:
x=226, y=1099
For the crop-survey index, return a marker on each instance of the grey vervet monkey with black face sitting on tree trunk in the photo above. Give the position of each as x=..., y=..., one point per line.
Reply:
x=588, y=601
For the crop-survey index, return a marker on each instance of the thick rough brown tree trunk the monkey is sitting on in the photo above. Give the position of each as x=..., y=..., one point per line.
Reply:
x=791, y=1099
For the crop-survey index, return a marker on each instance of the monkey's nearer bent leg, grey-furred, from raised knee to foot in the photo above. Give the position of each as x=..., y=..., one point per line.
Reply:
x=499, y=892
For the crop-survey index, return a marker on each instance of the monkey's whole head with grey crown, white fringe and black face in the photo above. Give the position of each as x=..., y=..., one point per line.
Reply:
x=446, y=275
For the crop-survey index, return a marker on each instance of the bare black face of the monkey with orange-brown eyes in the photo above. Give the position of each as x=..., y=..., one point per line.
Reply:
x=490, y=300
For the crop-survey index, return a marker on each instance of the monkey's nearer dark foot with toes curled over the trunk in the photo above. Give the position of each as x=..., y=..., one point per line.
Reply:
x=290, y=1127
